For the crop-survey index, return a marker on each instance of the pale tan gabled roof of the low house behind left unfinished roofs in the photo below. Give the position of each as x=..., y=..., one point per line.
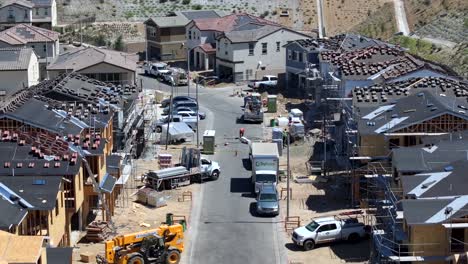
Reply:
x=80, y=59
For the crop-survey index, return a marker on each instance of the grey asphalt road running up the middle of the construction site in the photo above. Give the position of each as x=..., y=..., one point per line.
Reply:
x=222, y=227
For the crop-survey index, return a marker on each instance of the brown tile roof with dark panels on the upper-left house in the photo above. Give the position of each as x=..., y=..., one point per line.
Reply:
x=23, y=33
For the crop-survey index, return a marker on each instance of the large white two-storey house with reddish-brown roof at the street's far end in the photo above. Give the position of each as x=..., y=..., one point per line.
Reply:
x=239, y=46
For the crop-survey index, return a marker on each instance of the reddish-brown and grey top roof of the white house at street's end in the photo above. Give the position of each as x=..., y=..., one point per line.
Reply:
x=230, y=22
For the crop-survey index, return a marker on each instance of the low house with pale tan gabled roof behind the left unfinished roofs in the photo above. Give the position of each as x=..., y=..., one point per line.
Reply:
x=101, y=64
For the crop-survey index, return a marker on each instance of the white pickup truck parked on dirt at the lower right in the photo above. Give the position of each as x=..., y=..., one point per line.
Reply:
x=329, y=229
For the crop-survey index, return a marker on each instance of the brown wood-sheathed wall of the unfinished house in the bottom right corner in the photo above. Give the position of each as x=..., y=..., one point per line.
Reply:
x=429, y=240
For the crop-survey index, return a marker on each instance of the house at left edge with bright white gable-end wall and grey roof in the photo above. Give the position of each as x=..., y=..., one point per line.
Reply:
x=19, y=68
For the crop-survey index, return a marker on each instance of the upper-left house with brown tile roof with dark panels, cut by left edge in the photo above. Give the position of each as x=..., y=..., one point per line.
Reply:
x=44, y=42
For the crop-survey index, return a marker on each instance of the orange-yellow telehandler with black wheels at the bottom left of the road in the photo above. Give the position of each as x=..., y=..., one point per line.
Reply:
x=154, y=246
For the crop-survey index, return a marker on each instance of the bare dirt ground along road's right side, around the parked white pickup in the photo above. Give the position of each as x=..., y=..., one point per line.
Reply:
x=310, y=200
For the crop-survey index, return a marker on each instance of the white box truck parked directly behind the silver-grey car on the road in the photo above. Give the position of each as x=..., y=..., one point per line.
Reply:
x=264, y=158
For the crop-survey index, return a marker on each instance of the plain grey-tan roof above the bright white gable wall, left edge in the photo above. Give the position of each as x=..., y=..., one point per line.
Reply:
x=12, y=59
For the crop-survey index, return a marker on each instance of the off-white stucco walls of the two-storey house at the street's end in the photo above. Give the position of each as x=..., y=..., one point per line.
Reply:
x=274, y=61
